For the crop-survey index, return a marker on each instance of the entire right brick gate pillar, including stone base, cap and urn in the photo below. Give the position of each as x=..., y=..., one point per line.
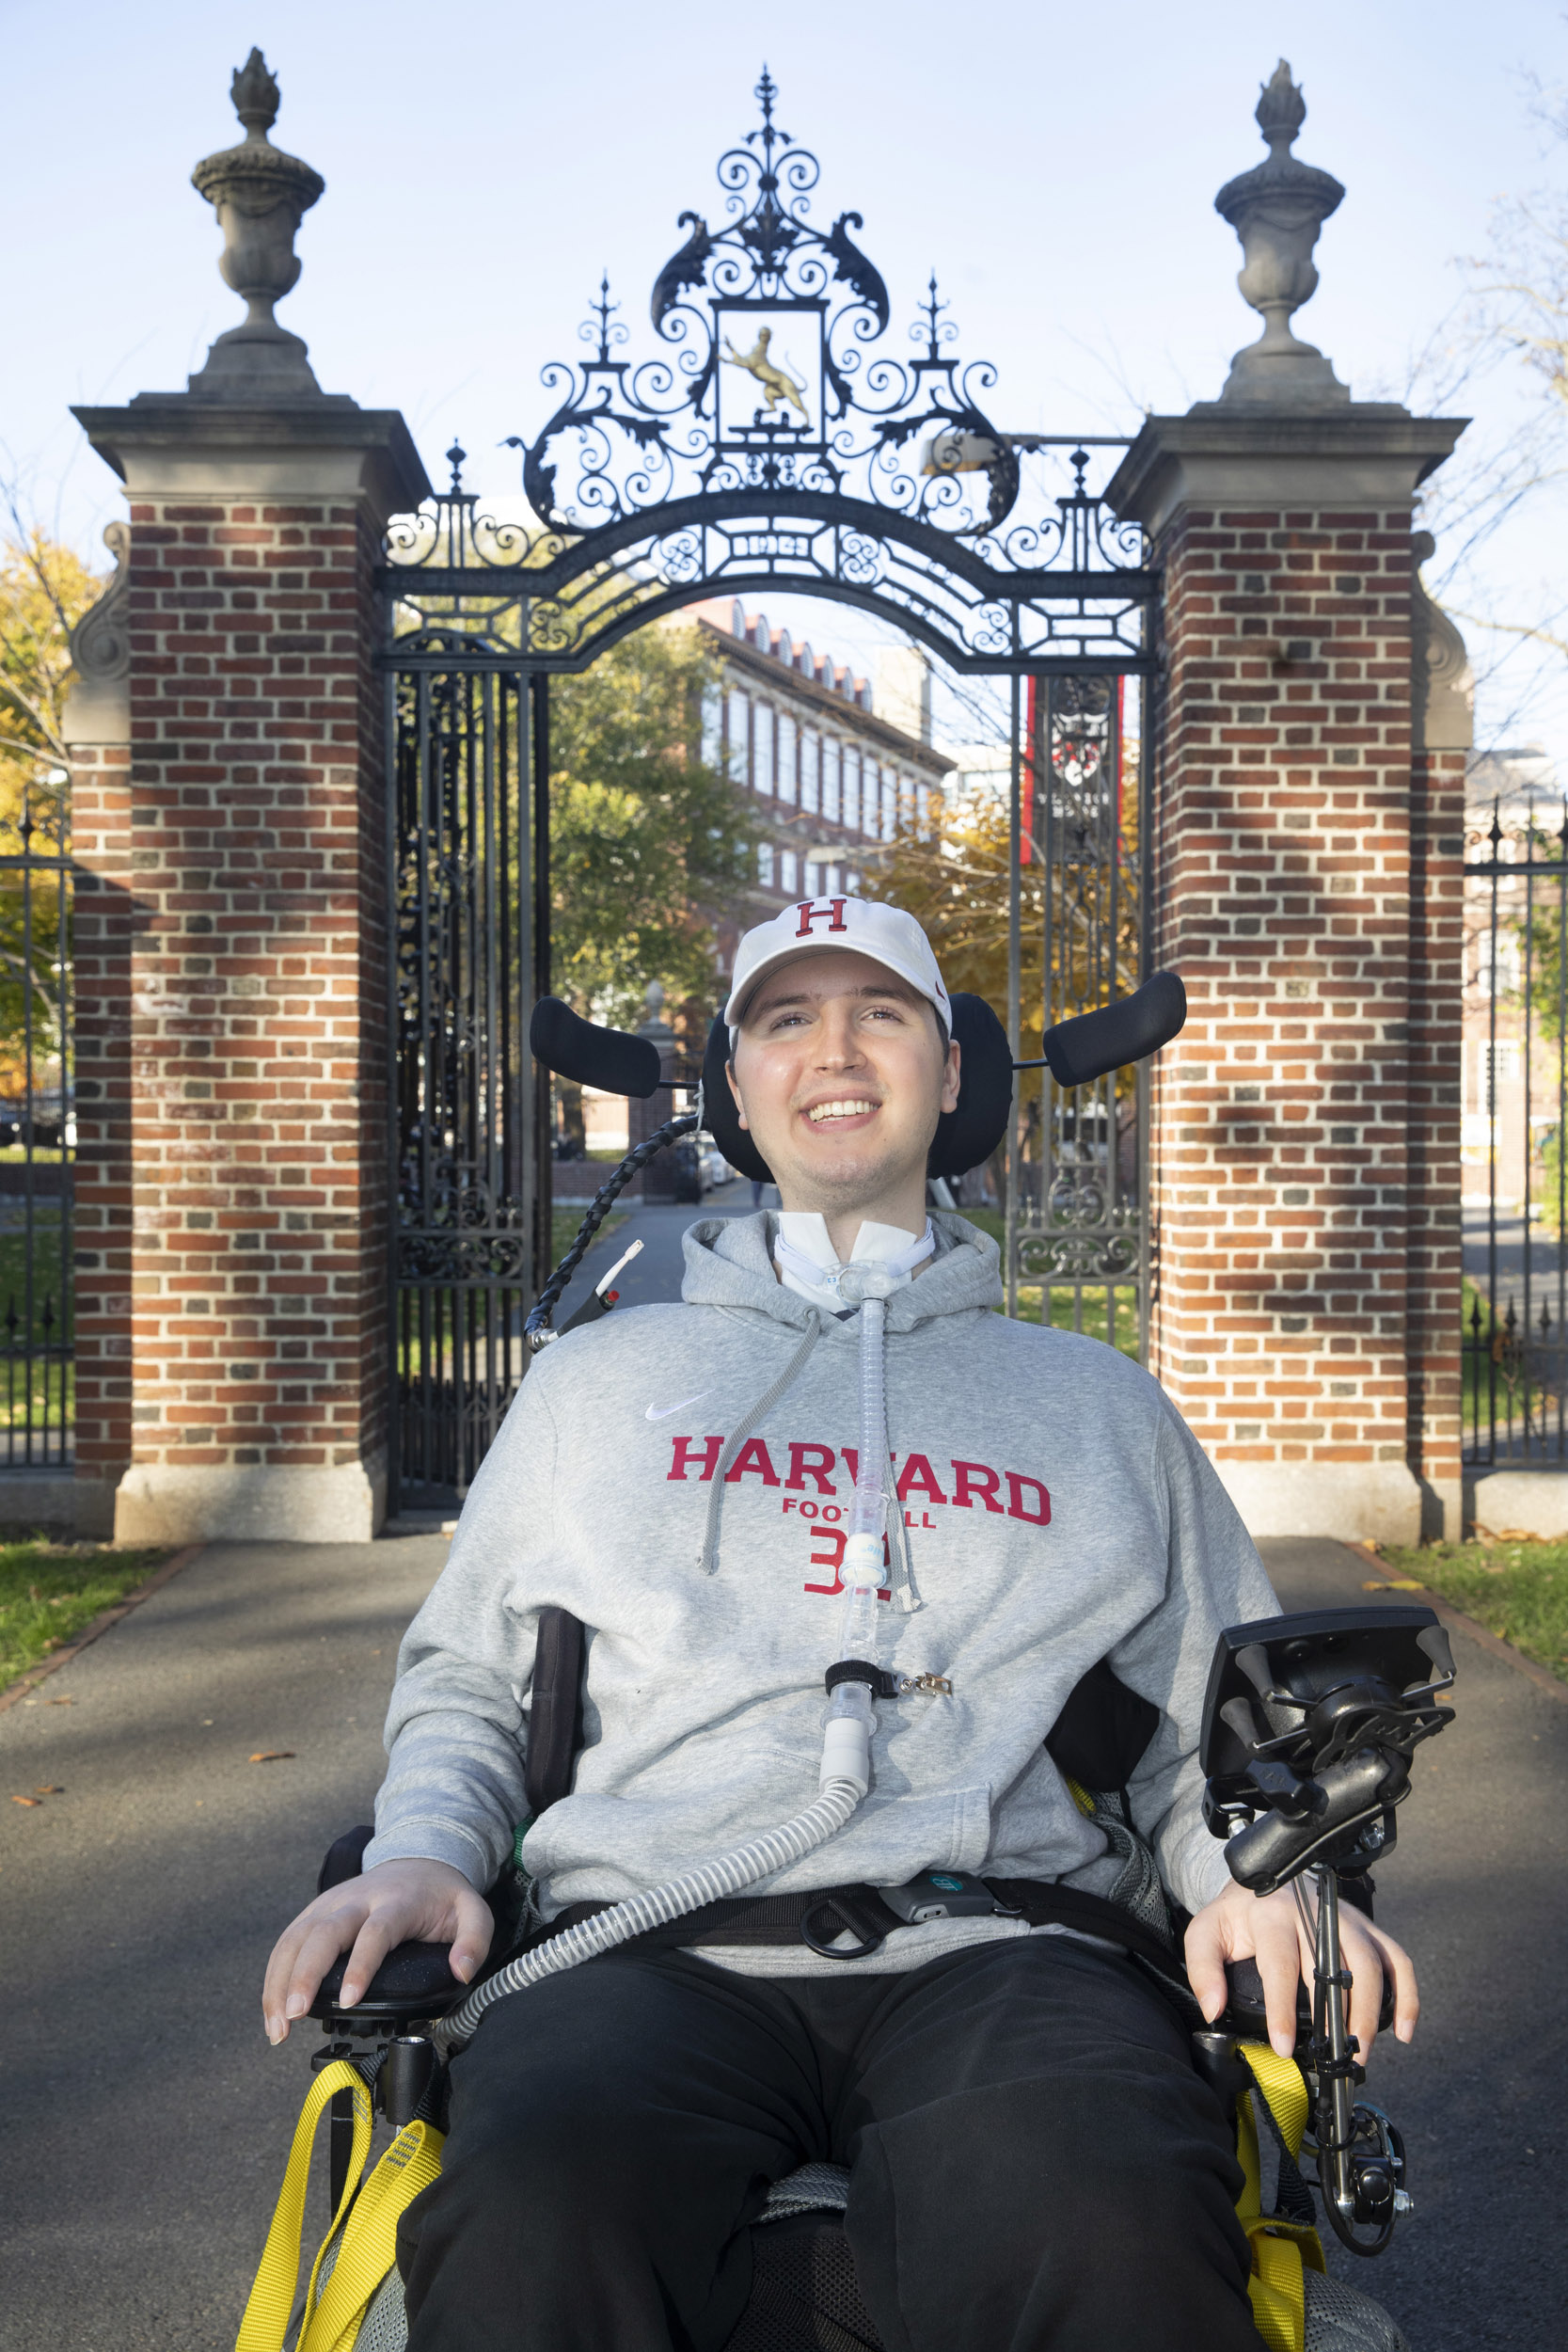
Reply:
x=1306, y=888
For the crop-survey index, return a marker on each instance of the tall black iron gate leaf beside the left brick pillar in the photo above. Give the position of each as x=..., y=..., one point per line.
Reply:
x=471, y=954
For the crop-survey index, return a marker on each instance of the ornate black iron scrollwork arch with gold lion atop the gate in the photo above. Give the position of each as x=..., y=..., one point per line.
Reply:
x=775, y=441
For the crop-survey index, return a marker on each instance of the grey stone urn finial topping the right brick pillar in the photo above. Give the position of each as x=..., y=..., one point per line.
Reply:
x=1278, y=211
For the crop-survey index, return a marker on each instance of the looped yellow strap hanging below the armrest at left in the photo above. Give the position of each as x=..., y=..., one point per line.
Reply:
x=366, y=2229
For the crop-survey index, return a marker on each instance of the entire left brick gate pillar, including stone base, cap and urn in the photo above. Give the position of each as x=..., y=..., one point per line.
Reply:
x=232, y=904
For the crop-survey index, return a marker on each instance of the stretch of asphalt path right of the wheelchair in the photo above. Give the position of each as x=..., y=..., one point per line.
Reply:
x=1477, y=1890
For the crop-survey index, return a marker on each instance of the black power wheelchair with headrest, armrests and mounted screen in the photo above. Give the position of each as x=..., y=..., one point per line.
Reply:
x=1308, y=1735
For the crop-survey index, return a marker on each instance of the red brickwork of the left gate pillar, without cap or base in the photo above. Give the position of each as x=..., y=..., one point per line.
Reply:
x=232, y=1043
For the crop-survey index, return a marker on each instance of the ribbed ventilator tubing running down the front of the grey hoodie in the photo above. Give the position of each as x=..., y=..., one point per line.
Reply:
x=847, y=1751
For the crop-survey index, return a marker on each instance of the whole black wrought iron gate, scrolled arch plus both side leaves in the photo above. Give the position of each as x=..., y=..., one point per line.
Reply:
x=770, y=441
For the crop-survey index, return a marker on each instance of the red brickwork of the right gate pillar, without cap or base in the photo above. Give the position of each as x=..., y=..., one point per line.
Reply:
x=1282, y=841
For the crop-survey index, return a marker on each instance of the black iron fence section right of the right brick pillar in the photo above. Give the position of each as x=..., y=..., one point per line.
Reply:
x=1515, y=1116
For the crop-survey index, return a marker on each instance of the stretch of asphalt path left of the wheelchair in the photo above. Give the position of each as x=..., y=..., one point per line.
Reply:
x=145, y=2120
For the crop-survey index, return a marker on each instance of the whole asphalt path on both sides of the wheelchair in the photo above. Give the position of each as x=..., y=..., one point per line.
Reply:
x=145, y=2120
